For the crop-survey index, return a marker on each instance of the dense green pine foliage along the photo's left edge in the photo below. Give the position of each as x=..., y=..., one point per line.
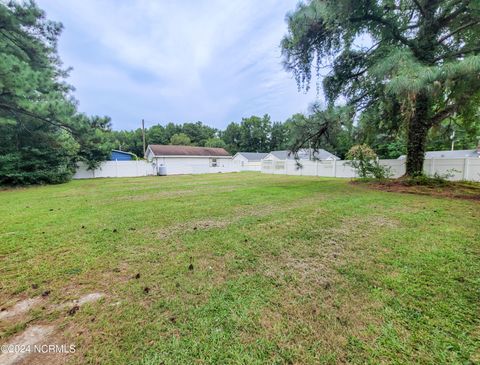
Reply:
x=42, y=136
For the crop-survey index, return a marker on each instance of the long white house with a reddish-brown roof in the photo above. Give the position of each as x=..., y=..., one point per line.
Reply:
x=188, y=159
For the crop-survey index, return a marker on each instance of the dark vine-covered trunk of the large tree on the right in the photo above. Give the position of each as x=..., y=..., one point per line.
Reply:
x=418, y=128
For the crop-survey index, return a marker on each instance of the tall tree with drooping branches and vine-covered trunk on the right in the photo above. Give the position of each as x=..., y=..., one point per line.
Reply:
x=419, y=58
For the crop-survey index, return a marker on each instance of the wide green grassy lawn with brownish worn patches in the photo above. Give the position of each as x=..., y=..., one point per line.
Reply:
x=245, y=269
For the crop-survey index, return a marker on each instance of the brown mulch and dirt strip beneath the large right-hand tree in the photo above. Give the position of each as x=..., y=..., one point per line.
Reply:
x=454, y=190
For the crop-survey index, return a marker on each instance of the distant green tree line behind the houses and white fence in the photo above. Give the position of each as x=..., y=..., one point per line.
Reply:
x=261, y=134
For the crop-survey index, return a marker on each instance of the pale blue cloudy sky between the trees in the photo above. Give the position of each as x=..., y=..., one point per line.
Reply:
x=214, y=61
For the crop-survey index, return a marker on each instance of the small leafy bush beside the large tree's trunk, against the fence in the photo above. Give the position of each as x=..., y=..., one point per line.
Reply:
x=365, y=161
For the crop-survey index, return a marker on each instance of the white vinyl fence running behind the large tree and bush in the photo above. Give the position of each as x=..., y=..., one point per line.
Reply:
x=455, y=168
